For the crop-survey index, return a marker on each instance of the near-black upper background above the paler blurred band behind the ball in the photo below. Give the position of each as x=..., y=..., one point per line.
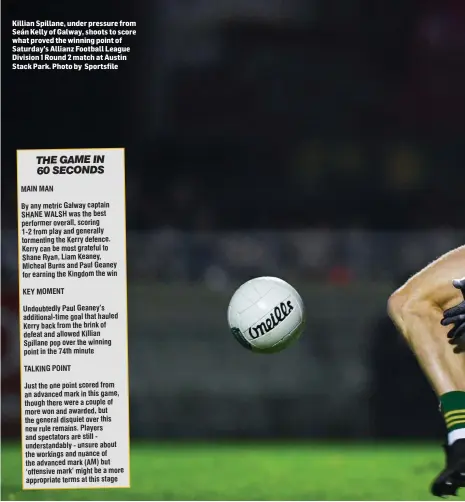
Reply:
x=352, y=116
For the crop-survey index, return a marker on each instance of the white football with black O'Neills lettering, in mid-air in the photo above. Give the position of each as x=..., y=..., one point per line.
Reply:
x=266, y=314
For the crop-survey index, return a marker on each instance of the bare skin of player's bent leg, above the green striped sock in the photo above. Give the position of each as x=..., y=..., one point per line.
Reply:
x=417, y=309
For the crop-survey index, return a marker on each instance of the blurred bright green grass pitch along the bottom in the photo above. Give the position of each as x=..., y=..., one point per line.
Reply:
x=249, y=471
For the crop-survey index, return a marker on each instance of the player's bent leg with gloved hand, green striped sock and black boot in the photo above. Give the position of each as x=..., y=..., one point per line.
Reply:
x=424, y=309
